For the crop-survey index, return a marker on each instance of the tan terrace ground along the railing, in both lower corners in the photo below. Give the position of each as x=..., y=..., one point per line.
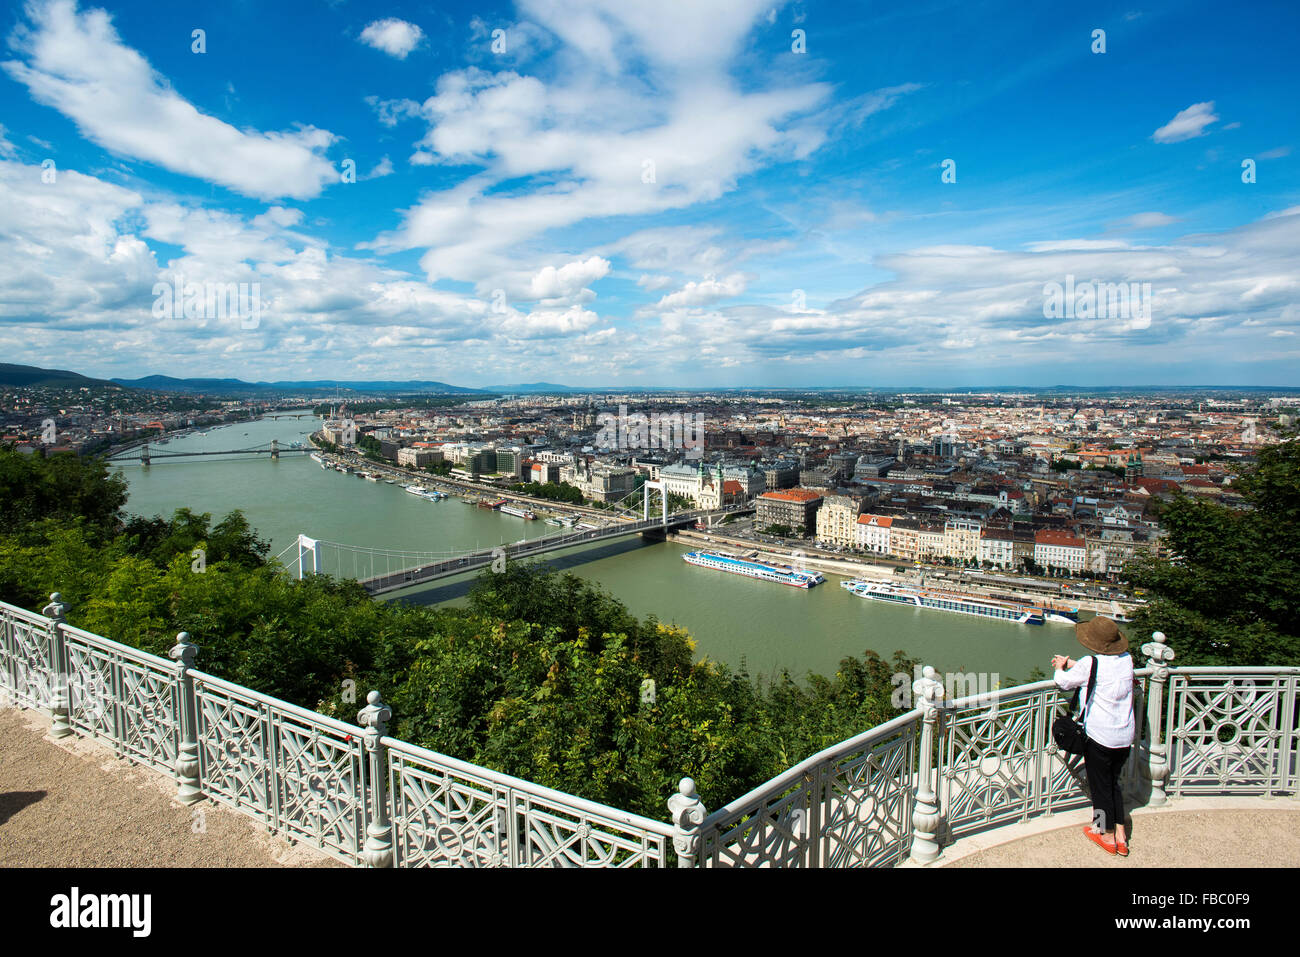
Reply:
x=73, y=804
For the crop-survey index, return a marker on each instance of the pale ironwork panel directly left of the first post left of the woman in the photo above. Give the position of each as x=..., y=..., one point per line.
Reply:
x=868, y=804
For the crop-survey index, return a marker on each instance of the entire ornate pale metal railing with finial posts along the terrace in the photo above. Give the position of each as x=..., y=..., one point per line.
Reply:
x=900, y=791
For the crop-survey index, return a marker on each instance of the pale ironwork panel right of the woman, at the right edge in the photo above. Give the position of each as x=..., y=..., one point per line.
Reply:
x=1230, y=733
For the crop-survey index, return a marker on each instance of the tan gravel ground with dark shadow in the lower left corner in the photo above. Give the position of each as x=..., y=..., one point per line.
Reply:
x=73, y=804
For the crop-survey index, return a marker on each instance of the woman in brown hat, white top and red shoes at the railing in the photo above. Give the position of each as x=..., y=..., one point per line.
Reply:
x=1108, y=722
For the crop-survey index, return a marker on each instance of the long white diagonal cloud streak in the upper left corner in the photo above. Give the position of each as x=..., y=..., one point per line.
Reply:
x=77, y=64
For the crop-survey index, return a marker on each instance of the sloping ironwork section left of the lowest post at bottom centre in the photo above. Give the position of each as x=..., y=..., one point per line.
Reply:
x=448, y=816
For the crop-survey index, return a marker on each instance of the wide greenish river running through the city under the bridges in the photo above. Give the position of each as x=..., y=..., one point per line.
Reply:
x=765, y=626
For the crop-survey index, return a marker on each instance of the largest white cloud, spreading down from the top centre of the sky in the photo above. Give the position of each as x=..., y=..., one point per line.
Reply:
x=592, y=145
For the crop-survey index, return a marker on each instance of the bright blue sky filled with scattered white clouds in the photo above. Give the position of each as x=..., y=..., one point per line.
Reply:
x=684, y=193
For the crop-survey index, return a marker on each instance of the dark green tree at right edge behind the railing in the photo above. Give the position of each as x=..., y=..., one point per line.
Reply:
x=1229, y=596
